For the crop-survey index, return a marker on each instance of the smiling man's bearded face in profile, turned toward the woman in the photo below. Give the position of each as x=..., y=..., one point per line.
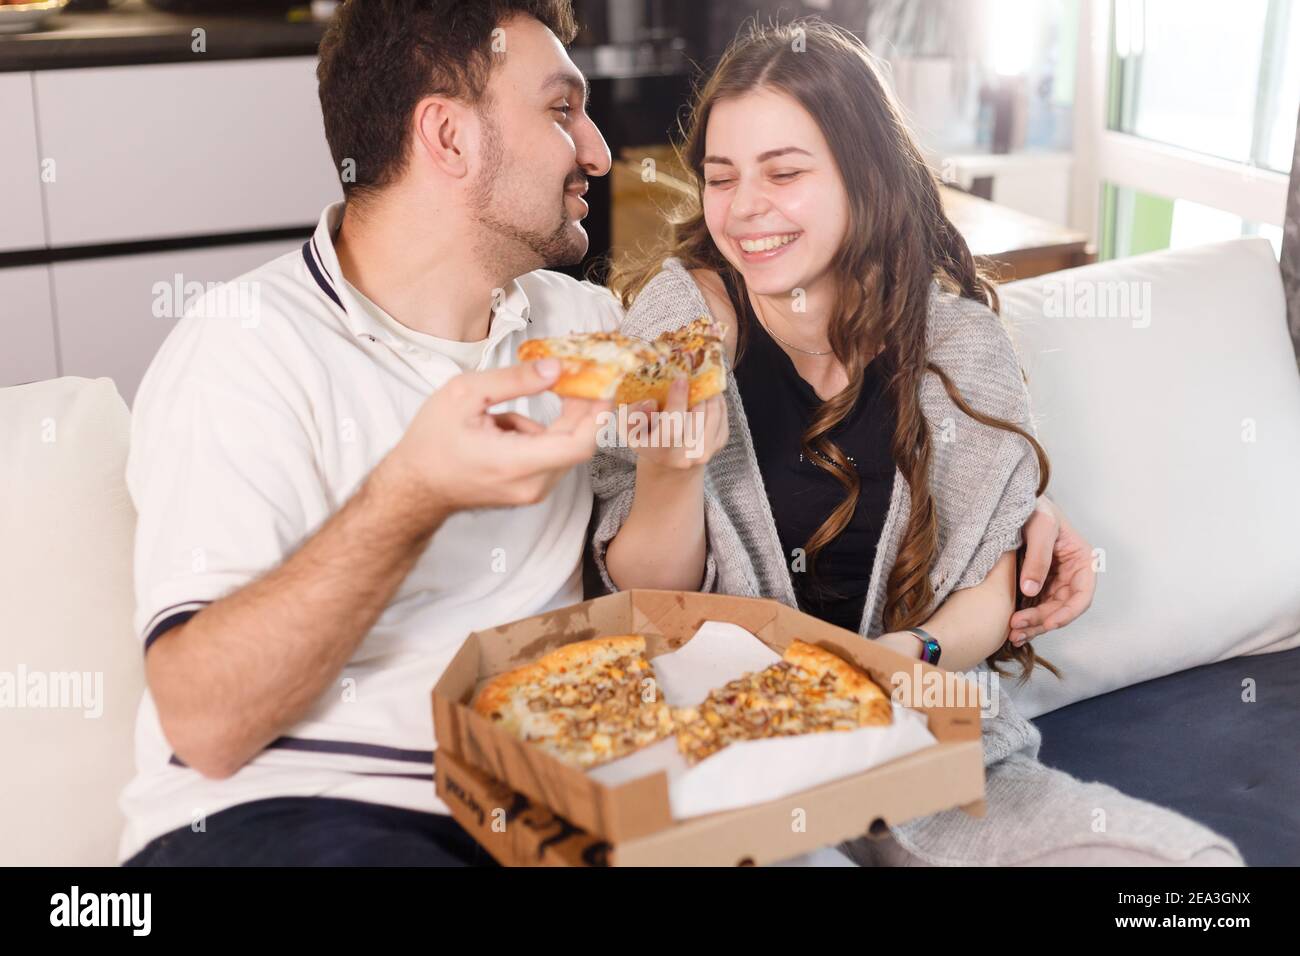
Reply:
x=539, y=149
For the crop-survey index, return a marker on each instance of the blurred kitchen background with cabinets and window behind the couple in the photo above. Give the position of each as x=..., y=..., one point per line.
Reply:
x=181, y=141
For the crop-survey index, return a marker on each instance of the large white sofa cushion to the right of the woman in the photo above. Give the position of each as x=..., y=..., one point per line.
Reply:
x=1175, y=438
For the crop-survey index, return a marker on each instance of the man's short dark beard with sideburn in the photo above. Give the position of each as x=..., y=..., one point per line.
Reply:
x=506, y=243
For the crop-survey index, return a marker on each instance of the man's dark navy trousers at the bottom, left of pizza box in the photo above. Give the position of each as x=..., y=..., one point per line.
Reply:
x=317, y=832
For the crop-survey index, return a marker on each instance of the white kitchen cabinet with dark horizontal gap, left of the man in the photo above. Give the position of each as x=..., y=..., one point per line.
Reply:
x=151, y=171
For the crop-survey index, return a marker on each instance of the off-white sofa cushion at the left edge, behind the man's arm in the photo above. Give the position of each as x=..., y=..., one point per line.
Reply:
x=66, y=592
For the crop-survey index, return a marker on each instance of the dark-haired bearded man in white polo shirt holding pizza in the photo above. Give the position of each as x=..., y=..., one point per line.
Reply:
x=336, y=491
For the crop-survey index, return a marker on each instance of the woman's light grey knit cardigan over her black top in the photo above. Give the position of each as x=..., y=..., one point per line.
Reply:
x=985, y=483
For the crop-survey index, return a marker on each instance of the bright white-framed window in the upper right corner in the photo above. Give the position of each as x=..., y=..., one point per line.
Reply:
x=1199, y=105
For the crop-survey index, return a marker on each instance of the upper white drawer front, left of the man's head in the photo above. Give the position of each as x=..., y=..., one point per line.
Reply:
x=170, y=150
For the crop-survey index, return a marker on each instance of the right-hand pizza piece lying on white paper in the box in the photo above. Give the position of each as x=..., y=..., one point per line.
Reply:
x=808, y=691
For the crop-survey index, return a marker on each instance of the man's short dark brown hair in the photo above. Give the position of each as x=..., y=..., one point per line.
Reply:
x=380, y=58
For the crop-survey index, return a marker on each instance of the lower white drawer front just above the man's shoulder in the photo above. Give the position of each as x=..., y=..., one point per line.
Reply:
x=106, y=306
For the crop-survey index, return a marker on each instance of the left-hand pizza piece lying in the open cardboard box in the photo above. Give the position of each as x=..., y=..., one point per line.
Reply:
x=586, y=703
